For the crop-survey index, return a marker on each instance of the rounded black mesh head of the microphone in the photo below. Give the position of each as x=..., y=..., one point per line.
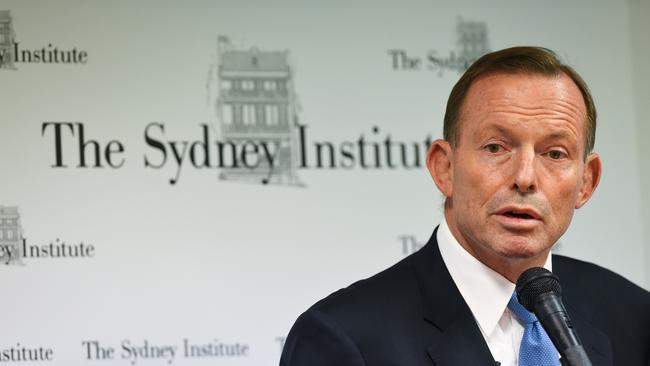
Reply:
x=535, y=282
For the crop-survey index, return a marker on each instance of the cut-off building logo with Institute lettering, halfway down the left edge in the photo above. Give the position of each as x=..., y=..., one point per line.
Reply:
x=14, y=248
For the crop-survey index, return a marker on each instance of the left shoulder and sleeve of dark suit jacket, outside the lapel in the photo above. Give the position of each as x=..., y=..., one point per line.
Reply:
x=360, y=324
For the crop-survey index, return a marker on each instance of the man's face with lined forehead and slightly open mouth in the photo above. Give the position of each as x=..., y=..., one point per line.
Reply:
x=518, y=170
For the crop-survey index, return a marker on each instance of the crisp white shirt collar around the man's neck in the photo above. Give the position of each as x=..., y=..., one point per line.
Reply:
x=485, y=291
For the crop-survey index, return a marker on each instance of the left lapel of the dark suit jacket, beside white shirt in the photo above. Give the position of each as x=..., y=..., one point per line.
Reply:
x=456, y=338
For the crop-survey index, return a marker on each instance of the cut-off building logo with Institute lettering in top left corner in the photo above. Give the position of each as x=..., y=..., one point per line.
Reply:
x=12, y=52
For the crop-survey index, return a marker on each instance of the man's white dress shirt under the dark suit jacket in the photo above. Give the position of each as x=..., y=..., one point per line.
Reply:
x=487, y=294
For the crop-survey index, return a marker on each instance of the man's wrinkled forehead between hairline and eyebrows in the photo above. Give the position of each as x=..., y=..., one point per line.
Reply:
x=523, y=97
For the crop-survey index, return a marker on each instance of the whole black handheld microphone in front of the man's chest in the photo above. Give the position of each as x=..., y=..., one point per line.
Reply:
x=539, y=291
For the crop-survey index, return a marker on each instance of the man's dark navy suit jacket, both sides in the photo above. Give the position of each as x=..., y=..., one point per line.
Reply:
x=412, y=314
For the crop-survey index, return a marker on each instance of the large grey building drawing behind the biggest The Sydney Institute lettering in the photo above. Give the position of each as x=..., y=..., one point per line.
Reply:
x=256, y=102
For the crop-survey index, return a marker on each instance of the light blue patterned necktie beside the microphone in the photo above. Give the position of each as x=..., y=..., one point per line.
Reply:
x=536, y=347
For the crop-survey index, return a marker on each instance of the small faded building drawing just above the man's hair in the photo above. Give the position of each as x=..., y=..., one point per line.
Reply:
x=471, y=43
